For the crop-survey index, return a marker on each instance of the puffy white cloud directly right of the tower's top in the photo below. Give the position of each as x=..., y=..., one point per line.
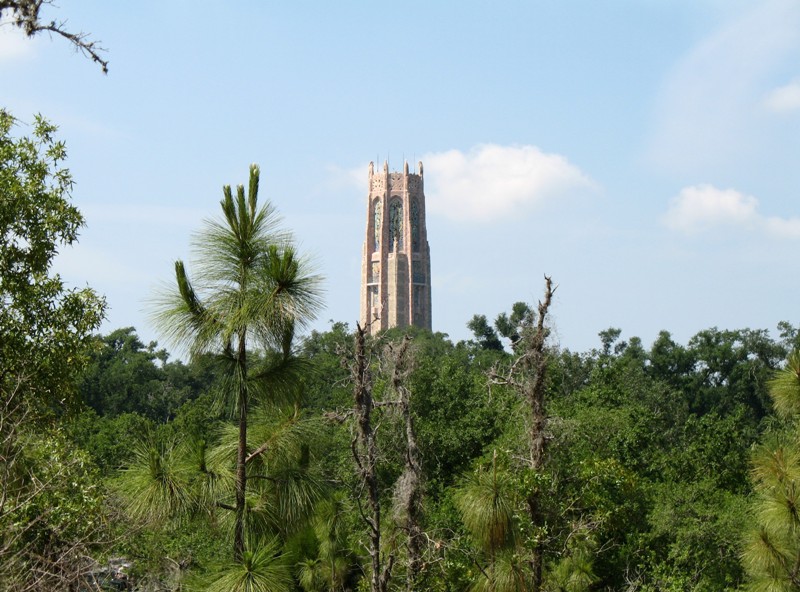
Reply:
x=491, y=182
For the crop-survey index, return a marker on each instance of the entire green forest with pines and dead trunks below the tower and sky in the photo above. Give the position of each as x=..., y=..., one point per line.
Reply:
x=274, y=459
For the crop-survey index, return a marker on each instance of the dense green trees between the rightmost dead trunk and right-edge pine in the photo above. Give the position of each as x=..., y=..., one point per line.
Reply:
x=659, y=480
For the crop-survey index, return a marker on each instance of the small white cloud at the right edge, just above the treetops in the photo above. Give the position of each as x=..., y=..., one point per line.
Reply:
x=703, y=208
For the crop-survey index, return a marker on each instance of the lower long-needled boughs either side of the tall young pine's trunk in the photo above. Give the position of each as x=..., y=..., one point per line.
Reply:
x=176, y=489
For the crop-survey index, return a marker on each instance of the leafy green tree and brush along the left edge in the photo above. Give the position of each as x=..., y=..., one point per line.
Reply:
x=50, y=508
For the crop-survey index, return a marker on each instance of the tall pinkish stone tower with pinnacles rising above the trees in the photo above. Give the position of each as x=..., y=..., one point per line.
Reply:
x=396, y=263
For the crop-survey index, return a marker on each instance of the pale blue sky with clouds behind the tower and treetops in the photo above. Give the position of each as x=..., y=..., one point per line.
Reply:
x=642, y=153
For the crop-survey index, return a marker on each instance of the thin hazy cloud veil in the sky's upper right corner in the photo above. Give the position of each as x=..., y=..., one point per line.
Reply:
x=709, y=109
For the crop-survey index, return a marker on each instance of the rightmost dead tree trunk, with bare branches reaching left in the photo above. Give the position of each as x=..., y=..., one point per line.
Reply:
x=527, y=377
